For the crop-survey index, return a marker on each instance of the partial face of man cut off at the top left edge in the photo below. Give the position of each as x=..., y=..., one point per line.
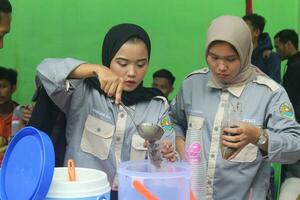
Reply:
x=5, y=19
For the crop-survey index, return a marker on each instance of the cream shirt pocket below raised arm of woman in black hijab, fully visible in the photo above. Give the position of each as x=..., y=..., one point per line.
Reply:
x=97, y=137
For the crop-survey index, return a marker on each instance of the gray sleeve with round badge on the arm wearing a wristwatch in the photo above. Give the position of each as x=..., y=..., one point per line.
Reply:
x=283, y=130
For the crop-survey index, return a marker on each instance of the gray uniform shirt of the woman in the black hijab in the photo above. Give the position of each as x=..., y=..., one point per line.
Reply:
x=99, y=133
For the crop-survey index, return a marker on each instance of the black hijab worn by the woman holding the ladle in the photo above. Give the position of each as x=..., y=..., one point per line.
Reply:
x=113, y=41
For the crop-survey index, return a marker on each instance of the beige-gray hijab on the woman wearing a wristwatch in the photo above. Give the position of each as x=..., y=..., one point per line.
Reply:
x=234, y=30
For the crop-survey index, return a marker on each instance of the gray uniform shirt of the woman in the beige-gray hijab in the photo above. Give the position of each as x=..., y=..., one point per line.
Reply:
x=198, y=113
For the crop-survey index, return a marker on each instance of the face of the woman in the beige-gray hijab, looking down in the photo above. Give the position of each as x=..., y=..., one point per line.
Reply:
x=223, y=61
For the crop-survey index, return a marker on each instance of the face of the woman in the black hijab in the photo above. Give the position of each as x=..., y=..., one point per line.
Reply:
x=131, y=63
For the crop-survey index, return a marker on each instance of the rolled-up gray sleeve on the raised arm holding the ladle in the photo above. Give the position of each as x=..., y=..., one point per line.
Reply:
x=53, y=74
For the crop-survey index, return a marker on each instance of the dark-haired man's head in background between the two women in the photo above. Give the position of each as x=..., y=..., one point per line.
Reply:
x=163, y=80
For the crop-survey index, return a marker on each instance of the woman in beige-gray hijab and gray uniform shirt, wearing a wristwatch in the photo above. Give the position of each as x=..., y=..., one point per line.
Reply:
x=231, y=120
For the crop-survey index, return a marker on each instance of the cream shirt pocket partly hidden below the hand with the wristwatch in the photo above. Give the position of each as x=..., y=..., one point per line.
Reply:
x=247, y=154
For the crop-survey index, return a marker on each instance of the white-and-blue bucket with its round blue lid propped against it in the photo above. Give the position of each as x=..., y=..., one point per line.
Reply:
x=28, y=168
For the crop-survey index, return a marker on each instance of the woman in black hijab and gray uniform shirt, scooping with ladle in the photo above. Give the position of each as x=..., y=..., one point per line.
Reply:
x=99, y=132
